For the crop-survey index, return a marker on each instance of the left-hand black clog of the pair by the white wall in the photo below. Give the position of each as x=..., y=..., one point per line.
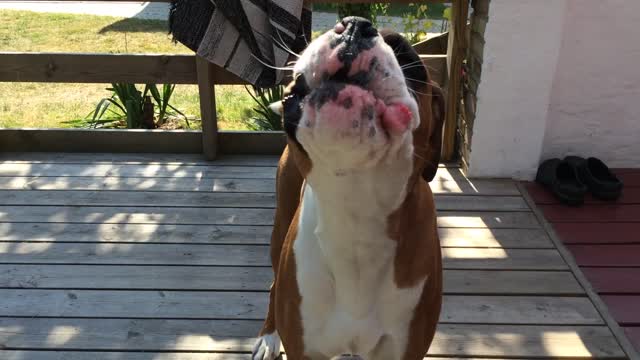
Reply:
x=562, y=180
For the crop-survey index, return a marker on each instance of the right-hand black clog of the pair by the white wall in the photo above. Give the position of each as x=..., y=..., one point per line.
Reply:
x=602, y=183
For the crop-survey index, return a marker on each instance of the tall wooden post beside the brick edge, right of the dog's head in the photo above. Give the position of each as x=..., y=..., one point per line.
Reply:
x=456, y=53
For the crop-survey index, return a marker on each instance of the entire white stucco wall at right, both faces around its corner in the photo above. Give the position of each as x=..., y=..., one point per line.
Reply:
x=560, y=77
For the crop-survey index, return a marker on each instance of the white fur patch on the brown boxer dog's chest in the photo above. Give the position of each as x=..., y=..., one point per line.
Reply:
x=345, y=275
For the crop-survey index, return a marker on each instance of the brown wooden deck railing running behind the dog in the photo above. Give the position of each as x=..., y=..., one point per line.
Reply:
x=176, y=69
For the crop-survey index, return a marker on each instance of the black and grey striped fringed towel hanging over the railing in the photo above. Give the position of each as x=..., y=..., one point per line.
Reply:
x=243, y=35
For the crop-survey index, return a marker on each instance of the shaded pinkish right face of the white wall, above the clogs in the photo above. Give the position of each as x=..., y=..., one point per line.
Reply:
x=595, y=99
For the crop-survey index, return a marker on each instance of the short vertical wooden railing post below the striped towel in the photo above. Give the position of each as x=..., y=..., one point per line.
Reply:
x=206, y=90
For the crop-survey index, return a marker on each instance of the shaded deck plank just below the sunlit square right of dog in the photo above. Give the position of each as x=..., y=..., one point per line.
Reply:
x=130, y=277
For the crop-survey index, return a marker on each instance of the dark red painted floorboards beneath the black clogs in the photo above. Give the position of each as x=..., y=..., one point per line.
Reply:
x=604, y=238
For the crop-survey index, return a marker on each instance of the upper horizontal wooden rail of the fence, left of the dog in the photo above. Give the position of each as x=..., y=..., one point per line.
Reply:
x=105, y=68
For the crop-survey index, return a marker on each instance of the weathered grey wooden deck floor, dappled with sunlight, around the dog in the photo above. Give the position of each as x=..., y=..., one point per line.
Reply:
x=165, y=257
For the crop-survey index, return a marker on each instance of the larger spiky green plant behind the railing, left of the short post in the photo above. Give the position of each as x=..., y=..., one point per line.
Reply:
x=134, y=107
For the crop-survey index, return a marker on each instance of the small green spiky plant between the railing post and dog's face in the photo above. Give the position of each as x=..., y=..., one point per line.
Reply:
x=265, y=119
